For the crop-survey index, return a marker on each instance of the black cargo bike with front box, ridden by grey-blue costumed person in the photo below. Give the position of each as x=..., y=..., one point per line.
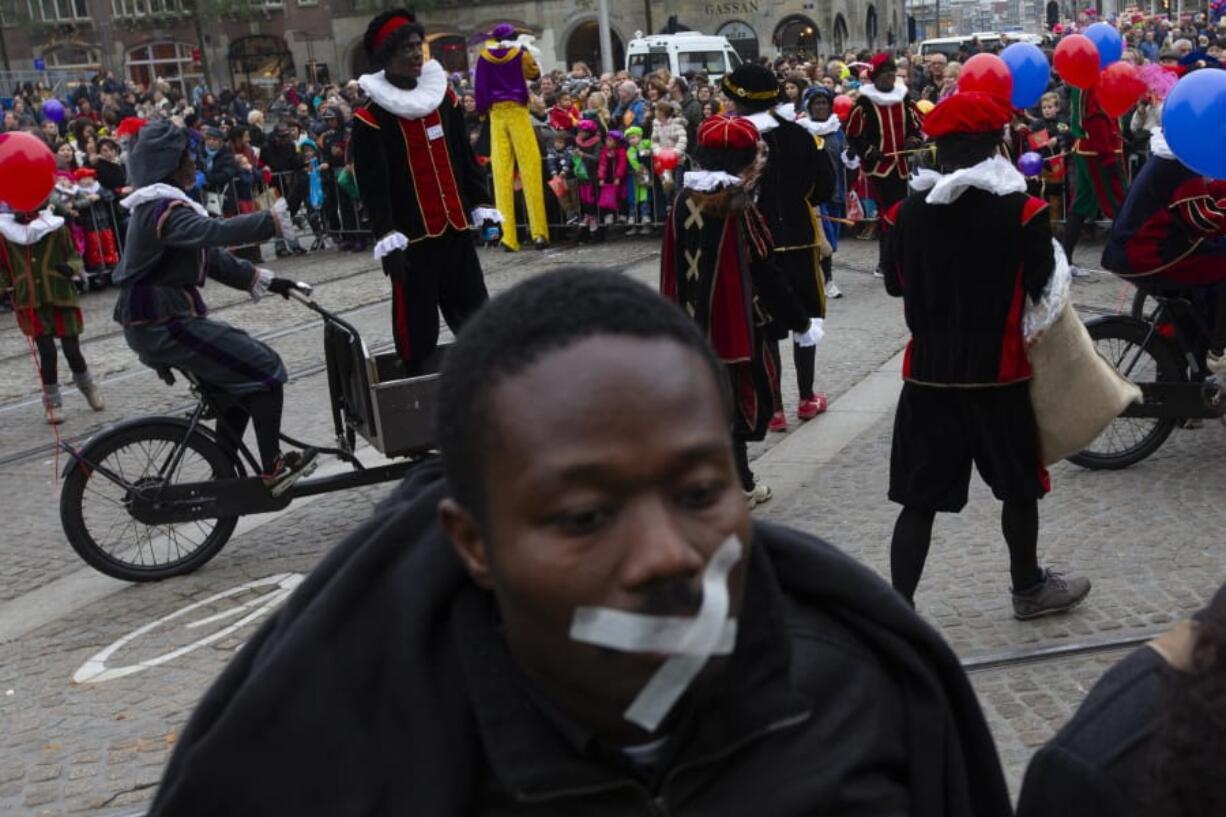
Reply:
x=160, y=496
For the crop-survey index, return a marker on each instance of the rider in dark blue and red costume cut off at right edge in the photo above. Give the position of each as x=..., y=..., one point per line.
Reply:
x=1171, y=234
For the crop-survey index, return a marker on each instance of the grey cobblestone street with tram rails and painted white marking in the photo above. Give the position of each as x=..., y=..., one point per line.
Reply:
x=97, y=677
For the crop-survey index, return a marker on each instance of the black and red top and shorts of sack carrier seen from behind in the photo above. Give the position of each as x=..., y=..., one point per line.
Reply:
x=964, y=272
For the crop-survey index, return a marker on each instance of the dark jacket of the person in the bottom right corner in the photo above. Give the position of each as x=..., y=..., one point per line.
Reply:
x=1098, y=765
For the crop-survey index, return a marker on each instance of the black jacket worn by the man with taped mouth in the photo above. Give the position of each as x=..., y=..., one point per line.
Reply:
x=384, y=688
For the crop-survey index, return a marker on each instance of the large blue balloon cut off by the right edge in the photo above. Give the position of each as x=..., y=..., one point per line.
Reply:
x=1195, y=122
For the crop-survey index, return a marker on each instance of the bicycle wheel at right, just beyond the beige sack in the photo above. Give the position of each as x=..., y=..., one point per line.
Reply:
x=1142, y=358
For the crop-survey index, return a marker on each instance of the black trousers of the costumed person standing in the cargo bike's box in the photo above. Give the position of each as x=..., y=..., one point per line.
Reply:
x=444, y=275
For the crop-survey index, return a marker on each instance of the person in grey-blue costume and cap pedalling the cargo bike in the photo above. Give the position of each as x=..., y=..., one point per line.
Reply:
x=172, y=247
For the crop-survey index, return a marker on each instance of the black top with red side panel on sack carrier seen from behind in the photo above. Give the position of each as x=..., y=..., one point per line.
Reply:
x=964, y=270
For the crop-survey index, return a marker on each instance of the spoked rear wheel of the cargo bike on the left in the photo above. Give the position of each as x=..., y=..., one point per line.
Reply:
x=95, y=511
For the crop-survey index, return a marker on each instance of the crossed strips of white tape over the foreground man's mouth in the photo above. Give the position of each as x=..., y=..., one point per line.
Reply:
x=691, y=642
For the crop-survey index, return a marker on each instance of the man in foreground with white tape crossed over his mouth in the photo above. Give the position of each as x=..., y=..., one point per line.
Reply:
x=596, y=627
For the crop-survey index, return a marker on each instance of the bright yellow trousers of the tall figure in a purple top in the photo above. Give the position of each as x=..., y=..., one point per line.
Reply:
x=513, y=144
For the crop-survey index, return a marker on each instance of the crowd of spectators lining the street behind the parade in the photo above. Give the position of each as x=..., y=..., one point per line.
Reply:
x=600, y=134
